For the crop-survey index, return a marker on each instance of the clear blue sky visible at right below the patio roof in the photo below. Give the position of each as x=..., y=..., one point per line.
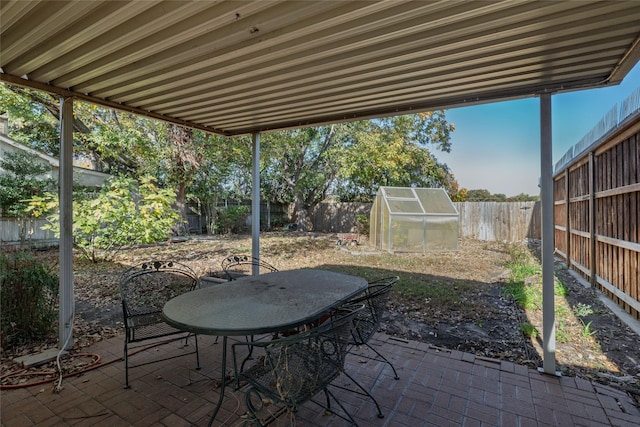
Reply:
x=497, y=146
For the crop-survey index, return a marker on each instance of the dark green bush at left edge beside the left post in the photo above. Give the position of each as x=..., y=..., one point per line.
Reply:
x=29, y=291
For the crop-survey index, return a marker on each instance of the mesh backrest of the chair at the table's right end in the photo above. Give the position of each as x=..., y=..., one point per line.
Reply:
x=375, y=300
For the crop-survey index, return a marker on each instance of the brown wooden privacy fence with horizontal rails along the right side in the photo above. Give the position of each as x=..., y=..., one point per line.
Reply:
x=597, y=200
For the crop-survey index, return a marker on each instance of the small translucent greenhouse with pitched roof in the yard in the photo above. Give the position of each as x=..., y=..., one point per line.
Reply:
x=413, y=220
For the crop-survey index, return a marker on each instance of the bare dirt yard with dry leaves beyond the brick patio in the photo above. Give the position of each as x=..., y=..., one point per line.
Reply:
x=450, y=299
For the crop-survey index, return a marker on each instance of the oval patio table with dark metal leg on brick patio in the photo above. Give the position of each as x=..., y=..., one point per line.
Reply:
x=261, y=304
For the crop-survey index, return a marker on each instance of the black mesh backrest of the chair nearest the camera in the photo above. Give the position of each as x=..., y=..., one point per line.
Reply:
x=299, y=366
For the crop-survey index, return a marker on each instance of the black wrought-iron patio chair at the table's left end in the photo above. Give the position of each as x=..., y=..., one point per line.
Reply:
x=144, y=289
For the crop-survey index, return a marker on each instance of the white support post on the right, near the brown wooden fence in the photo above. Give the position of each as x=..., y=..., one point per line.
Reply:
x=546, y=193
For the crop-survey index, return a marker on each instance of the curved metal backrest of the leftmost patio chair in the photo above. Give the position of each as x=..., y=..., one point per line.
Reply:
x=146, y=287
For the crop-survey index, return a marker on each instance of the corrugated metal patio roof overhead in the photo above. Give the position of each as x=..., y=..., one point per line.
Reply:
x=237, y=67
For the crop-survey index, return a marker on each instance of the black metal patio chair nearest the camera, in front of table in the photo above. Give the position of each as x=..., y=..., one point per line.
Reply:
x=295, y=369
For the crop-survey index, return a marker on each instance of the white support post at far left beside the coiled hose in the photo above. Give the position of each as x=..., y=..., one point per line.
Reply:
x=65, y=181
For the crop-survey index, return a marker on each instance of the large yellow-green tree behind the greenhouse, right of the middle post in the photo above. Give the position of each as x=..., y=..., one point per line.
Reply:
x=352, y=159
